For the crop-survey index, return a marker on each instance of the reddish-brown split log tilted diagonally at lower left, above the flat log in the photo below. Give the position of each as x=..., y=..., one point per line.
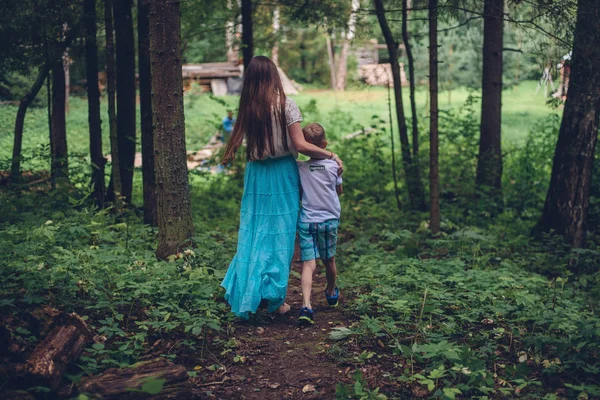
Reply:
x=63, y=344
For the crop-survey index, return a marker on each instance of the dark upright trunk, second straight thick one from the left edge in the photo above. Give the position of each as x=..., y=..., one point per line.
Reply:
x=91, y=50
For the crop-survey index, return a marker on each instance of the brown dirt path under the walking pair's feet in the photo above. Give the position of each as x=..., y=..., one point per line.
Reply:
x=282, y=359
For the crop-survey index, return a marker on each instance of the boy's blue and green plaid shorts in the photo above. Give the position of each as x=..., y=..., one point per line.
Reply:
x=318, y=239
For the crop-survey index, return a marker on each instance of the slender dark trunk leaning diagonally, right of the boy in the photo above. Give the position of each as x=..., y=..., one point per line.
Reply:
x=413, y=179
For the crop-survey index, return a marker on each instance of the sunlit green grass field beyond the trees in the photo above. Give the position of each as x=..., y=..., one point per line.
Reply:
x=522, y=109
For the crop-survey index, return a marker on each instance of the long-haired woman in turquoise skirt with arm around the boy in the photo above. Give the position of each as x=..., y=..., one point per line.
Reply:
x=270, y=122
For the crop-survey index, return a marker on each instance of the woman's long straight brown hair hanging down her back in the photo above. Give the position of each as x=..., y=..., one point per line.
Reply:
x=261, y=104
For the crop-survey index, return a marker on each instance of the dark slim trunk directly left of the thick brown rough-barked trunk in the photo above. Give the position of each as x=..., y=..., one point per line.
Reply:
x=148, y=173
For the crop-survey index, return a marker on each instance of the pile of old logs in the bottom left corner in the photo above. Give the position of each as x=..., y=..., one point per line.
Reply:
x=63, y=338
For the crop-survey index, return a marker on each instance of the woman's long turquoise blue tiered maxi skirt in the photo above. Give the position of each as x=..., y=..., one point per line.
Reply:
x=268, y=217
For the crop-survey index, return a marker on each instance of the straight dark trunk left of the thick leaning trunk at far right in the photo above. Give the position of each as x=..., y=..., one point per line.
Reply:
x=489, y=163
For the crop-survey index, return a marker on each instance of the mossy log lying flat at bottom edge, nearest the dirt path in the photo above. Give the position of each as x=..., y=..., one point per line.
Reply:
x=121, y=382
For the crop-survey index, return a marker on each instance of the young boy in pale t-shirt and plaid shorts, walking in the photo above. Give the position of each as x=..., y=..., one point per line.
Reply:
x=319, y=220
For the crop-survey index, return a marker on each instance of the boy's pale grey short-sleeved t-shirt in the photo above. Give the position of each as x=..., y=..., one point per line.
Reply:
x=320, y=201
